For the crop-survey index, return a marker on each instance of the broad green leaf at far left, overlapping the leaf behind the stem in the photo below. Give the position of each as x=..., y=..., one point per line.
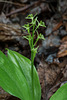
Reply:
x=12, y=80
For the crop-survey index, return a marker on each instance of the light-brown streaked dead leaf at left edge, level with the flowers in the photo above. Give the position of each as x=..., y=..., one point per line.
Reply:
x=8, y=32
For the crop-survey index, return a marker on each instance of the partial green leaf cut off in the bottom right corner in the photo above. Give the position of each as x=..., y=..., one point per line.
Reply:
x=61, y=93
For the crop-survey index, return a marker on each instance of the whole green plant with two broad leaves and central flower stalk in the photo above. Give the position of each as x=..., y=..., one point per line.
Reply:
x=18, y=75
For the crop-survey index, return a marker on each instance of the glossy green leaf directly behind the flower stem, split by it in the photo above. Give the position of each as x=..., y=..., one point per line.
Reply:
x=25, y=66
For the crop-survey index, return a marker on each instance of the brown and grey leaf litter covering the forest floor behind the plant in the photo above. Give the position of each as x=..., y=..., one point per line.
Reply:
x=51, y=59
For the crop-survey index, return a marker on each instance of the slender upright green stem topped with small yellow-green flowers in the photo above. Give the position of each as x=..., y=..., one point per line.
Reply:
x=30, y=38
